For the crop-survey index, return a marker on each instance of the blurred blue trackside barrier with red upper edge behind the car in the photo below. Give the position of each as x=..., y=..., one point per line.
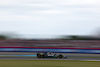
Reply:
x=56, y=50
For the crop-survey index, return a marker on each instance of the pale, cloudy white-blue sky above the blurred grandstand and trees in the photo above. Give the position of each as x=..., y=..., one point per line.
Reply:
x=49, y=17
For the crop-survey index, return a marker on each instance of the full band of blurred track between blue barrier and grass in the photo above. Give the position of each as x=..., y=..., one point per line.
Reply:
x=30, y=56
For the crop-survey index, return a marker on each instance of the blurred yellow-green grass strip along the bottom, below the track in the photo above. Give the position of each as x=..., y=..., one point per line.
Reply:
x=48, y=63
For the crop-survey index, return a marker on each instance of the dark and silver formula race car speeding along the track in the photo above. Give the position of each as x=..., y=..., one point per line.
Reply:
x=50, y=55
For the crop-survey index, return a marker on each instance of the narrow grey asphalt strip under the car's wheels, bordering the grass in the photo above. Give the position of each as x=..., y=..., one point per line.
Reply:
x=34, y=58
